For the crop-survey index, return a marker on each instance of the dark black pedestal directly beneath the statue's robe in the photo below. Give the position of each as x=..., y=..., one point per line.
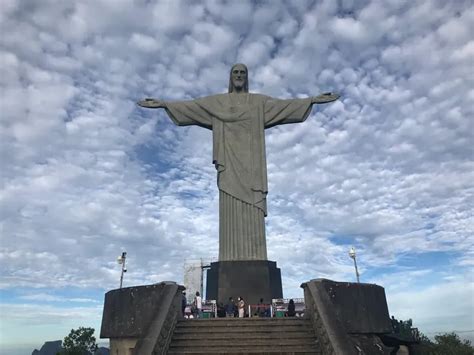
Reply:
x=249, y=279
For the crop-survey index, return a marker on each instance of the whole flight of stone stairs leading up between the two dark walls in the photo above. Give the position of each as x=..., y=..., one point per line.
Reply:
x=244, y=336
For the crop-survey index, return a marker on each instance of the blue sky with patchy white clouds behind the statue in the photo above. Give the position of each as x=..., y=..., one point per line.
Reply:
x=87, y=174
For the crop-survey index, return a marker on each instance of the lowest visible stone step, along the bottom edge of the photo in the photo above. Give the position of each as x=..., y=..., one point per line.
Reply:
x=239, y=349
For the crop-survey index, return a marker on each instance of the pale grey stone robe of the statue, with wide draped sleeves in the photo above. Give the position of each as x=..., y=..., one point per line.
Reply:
x=238, y=122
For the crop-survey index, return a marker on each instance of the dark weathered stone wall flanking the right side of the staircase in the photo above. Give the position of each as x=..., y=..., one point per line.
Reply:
x=348, y=317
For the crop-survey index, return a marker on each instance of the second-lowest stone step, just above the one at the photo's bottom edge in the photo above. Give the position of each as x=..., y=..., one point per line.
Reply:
x=248, y=342
